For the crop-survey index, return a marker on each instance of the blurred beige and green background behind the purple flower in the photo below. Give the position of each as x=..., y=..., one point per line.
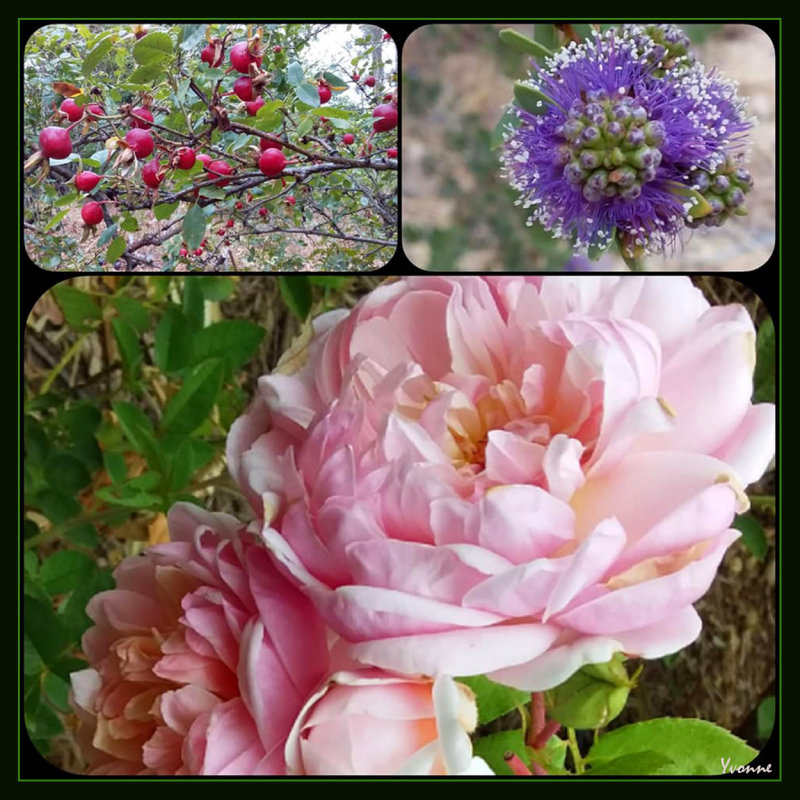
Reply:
x=459, y=214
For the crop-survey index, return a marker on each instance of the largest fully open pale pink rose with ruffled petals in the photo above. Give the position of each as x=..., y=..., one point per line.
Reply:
x=509, y=475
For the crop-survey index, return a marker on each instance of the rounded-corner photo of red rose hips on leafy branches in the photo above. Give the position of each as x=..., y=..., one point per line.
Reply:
x=210, y=147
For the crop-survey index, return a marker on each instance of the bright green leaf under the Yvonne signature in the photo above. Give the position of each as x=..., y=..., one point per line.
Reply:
x=695, y=746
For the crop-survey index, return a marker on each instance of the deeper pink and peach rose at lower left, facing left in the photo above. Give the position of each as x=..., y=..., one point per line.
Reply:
x=201, y=658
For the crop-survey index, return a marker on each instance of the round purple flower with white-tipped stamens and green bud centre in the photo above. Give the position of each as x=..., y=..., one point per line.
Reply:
x=625, y=124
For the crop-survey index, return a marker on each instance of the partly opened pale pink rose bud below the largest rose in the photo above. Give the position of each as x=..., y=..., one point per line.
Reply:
x=372, y=723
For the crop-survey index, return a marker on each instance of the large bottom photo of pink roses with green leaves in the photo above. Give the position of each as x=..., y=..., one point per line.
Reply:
x=356, y=526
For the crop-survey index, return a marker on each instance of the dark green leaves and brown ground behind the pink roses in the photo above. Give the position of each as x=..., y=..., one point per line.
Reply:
x=131, y=384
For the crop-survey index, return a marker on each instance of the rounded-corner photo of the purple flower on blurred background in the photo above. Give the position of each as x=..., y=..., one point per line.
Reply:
x=584, y=148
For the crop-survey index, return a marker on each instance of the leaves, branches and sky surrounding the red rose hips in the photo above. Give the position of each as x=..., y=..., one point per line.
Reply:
x=345, y=215
